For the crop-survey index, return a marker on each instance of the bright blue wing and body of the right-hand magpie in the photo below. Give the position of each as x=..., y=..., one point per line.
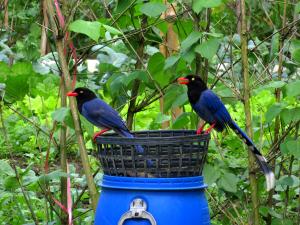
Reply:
x=211, y=109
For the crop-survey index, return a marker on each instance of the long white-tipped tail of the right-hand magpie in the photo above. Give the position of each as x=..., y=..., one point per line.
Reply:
x=262, y=162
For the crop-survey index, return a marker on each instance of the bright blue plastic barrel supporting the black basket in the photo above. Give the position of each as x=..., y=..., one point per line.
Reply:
x=152, y=201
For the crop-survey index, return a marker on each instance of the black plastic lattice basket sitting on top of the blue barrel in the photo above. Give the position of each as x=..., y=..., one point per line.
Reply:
x=165, y=153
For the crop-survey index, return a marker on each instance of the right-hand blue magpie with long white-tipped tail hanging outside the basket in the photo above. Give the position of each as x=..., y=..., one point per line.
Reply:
x=212, y=110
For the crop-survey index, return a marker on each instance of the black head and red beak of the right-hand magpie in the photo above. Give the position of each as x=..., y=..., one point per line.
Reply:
x=195, y=86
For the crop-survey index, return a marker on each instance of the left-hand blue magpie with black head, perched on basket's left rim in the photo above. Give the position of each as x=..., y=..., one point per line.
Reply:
x=100, y=114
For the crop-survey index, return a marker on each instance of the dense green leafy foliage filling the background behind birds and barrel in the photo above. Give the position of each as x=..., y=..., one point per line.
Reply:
x=127, y=38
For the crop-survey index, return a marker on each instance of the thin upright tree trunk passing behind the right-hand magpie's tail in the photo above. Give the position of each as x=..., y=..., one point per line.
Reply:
x=246, y=99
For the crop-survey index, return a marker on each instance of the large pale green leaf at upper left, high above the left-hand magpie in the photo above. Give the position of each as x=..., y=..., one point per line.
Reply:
x=90, y=29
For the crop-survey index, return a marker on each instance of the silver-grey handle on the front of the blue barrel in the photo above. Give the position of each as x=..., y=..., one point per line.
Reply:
x=138, y=210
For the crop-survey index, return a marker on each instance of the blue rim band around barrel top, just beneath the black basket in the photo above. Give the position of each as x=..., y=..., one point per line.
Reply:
x=141, y=183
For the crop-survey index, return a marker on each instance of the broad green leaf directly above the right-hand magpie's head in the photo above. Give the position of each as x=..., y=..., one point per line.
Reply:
x=208, y=48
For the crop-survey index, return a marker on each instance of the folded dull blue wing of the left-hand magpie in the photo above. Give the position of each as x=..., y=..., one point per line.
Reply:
x=102, y=115
